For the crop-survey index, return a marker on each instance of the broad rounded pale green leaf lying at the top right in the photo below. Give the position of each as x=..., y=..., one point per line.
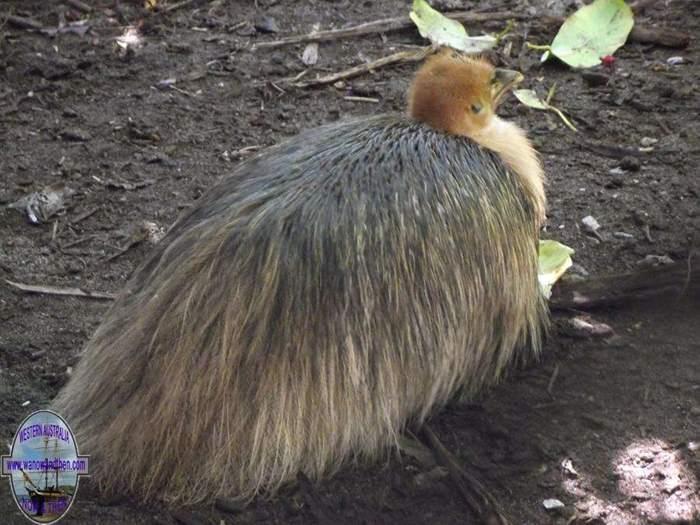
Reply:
x=592, y=32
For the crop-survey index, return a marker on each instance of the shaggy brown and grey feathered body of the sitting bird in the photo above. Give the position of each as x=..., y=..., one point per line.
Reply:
x=328, y=292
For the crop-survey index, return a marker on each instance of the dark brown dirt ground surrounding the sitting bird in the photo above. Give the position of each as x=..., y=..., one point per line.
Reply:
x=610, y=427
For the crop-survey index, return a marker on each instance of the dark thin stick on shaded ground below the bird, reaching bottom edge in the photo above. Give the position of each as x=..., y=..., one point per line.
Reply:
x=475, y=494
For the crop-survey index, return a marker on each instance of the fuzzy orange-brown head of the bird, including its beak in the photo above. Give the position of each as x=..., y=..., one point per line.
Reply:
x=458, y=94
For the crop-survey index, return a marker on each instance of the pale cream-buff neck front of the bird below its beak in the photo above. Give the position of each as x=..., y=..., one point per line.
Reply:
x=512, y=145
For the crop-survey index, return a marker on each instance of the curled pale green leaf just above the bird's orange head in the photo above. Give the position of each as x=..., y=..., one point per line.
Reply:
x=443, y=31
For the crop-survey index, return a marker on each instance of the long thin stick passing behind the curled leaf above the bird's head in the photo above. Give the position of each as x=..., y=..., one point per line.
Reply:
x=381, y=26
